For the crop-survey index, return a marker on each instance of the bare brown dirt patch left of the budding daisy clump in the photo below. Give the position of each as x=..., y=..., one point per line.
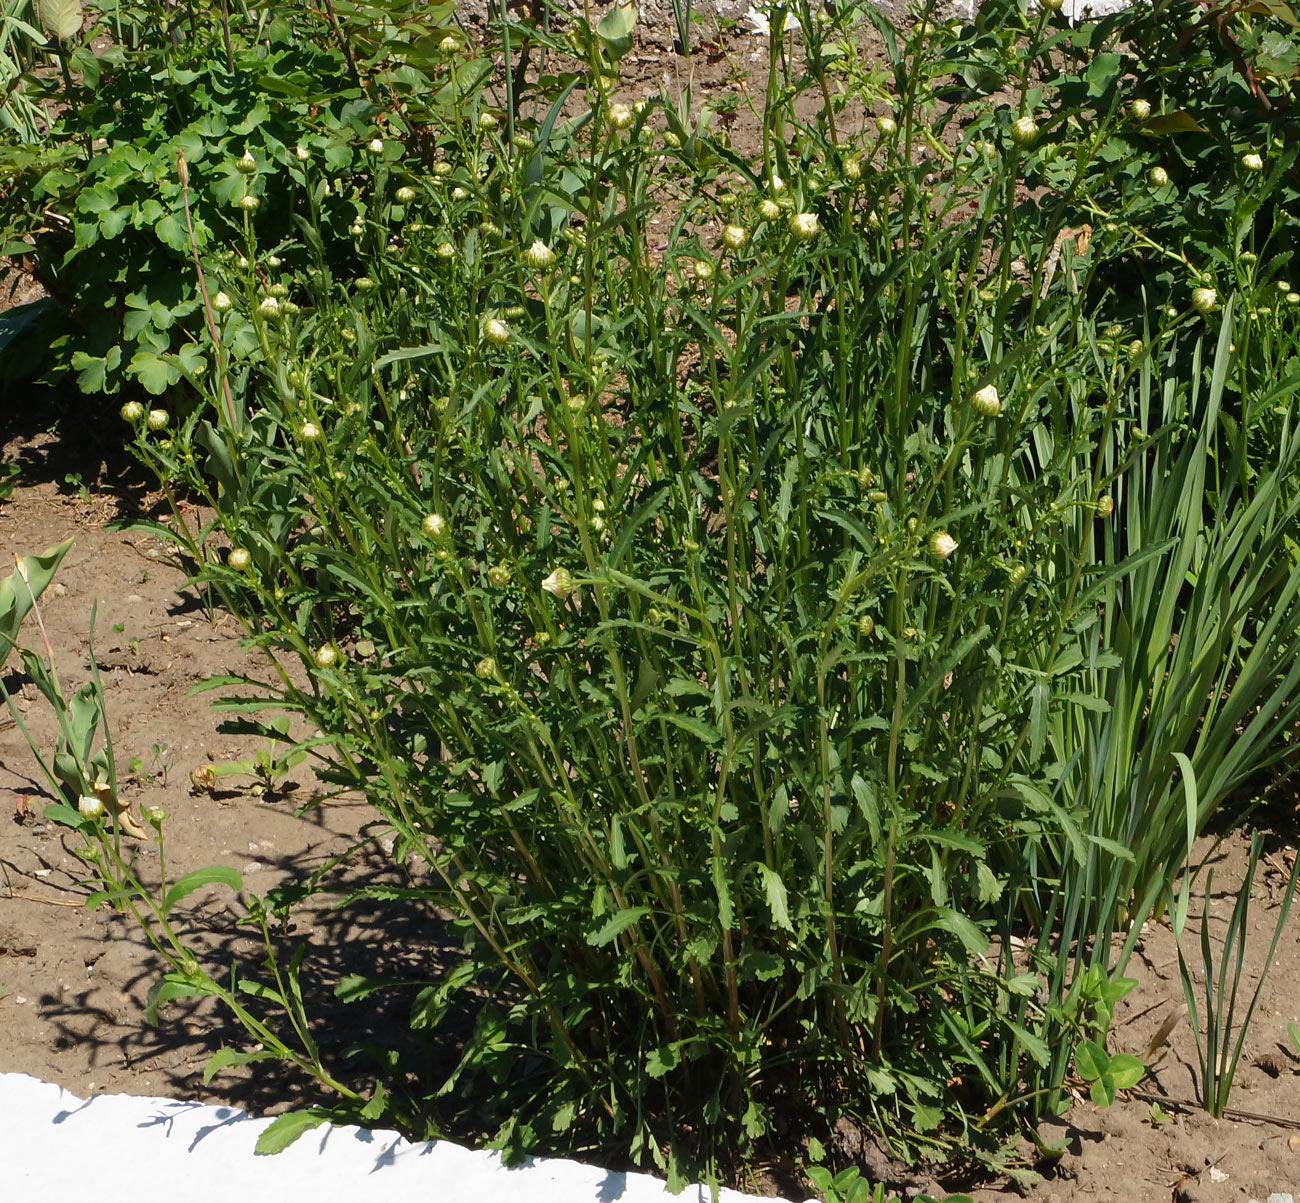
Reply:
x=73, y=983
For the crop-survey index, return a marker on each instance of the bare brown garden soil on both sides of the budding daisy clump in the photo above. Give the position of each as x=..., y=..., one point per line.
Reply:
x=73, y=980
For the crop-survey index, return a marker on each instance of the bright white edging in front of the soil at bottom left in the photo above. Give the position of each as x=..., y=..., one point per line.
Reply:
x=122, y=1149
